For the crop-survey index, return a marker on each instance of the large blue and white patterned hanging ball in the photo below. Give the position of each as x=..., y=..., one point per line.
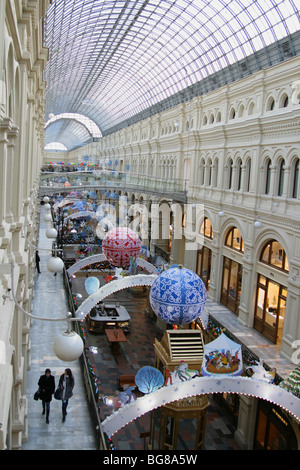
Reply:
x=178, y=296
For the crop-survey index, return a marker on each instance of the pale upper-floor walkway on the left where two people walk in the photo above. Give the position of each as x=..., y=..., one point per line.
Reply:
x=76, y=433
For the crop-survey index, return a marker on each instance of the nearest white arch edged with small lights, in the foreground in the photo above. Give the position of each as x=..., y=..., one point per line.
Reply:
x=201, y=386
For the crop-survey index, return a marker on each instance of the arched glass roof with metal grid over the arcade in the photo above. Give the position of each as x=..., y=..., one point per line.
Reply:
x=113, y=60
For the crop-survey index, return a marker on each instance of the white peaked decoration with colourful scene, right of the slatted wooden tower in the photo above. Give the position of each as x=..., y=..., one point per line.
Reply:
x=222, y=357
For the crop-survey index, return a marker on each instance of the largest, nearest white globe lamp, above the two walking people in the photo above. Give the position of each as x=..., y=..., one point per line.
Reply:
x=68, y=346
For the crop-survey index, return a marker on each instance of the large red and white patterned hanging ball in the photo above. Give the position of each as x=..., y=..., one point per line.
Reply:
x=120, y=245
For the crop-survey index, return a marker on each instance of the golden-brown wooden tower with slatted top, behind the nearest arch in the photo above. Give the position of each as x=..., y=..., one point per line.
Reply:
x=176, y=346
